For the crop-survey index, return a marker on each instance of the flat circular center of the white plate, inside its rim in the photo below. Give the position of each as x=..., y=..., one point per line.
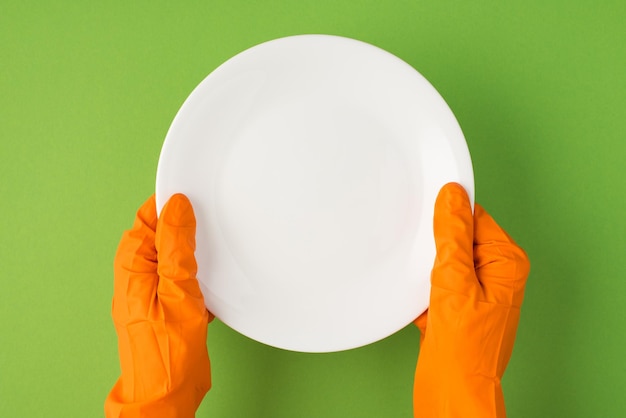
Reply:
x=310, y=191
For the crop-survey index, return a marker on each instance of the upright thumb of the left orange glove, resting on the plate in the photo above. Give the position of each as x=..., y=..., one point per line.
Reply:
x=178, y=290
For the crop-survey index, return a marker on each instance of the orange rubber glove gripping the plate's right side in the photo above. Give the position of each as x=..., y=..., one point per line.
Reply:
x=468, y=331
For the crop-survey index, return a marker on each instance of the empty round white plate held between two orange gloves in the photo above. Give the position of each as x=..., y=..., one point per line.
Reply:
x=313, y=163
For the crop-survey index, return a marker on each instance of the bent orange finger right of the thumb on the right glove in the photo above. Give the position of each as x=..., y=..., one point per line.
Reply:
x=502, y=266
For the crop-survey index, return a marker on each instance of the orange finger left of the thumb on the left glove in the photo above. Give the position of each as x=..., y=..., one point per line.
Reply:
x=135, y=268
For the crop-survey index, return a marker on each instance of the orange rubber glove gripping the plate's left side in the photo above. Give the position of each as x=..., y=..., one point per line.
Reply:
x=160, y=317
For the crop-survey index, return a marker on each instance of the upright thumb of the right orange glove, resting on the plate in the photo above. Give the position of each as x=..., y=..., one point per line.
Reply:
x=454, y=232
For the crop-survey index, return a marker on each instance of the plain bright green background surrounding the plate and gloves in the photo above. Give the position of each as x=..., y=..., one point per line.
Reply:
x=88, y=90
